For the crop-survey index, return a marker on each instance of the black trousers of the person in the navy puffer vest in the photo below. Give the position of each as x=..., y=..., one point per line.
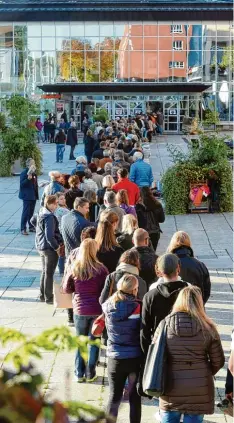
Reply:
x=118, y=372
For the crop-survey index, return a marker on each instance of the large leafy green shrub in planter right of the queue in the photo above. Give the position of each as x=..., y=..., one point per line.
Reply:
x=207, y=161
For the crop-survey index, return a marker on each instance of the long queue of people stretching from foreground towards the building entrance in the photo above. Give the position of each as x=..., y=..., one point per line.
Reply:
x=101, y=226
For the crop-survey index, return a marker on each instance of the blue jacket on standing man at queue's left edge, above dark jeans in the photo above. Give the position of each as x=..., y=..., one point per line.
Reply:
x=48, y=236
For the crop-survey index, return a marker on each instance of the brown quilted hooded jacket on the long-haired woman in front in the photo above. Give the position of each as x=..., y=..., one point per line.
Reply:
x=194, y=357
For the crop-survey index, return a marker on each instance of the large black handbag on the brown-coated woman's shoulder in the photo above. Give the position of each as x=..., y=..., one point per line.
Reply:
x=154, y=376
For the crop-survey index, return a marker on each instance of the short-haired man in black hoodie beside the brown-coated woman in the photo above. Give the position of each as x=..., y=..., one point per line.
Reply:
x=158, y=302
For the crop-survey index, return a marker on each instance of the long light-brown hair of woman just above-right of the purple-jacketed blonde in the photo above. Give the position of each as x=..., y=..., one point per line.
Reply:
x=105, y=236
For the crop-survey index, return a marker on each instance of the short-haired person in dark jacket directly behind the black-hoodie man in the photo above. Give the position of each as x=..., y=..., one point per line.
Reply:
x=147, y=256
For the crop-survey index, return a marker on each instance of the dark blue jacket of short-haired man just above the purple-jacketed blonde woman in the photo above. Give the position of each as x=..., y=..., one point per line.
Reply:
x=72, y=225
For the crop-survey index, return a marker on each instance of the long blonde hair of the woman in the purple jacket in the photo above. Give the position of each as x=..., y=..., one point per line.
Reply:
x=87, y=263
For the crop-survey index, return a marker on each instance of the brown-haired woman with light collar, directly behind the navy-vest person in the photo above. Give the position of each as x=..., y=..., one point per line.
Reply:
x=129, y=263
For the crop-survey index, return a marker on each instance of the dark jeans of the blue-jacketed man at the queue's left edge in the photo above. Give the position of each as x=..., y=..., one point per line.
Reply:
x=49, y=259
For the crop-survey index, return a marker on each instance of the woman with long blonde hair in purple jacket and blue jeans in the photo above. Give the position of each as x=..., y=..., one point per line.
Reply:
x=86, y=281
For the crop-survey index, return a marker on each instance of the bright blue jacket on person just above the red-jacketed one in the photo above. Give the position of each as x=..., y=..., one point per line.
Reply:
x=141, y=173
